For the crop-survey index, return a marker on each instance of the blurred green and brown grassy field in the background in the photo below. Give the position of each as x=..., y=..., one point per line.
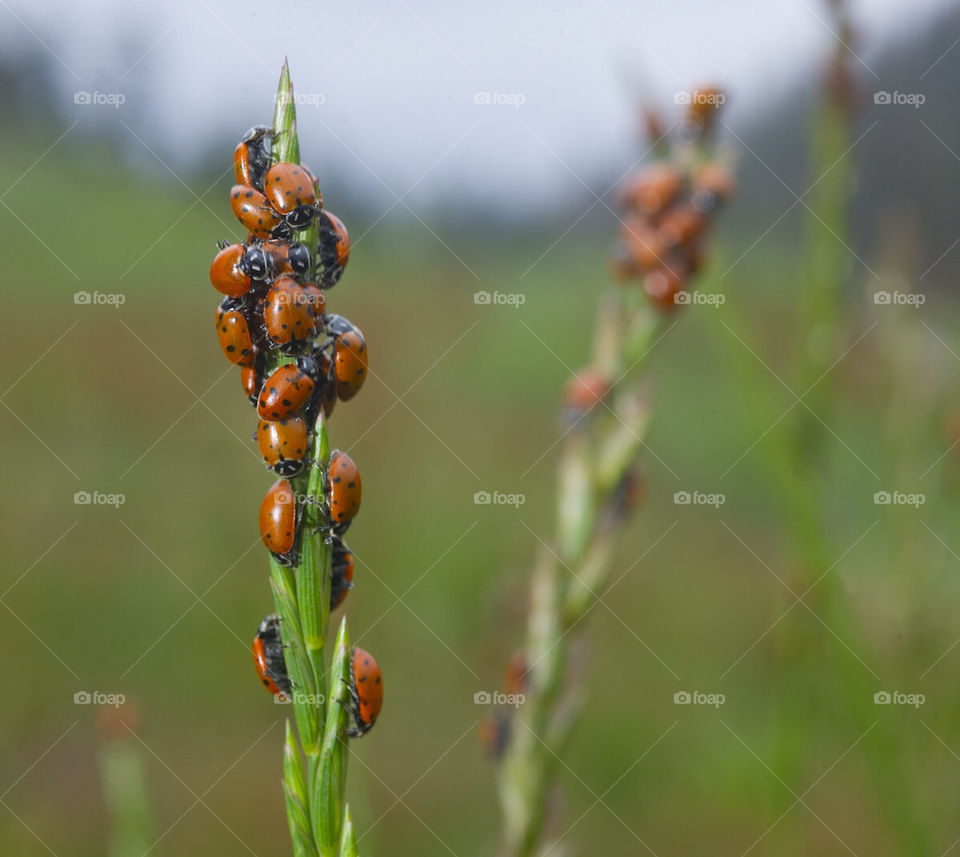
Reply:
x=113, y=605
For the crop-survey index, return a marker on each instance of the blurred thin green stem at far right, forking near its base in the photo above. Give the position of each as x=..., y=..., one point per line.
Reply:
x=806, y=661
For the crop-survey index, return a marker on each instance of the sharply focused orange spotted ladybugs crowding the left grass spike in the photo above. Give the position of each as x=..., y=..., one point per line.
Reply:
x=275, y=309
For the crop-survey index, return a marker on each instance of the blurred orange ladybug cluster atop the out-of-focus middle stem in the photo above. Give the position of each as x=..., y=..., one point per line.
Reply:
x=668, y=208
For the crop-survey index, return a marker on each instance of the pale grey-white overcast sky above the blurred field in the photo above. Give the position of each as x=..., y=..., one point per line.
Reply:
x=502, y=103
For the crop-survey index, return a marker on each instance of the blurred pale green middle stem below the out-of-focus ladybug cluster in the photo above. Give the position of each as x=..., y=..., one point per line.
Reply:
x=600, y=451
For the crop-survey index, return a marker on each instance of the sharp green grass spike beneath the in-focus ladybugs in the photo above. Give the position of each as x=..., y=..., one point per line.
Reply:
x=314, y=774
